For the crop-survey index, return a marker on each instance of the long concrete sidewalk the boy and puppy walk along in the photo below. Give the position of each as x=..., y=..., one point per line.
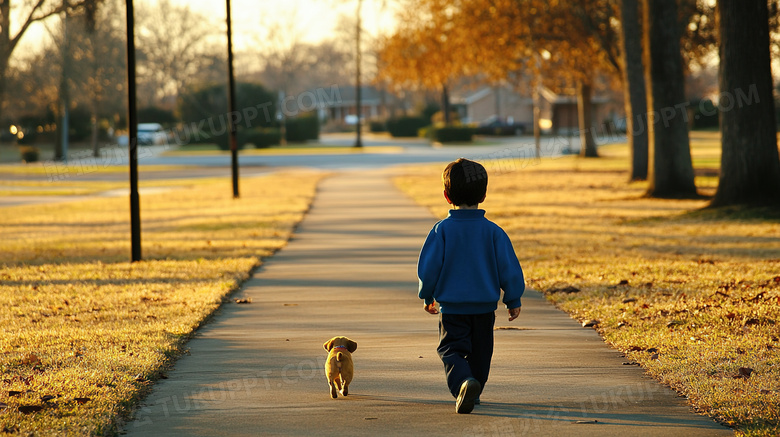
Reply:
x=257, y=369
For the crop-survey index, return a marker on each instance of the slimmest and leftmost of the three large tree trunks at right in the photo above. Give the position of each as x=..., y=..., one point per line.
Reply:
x=634, y=89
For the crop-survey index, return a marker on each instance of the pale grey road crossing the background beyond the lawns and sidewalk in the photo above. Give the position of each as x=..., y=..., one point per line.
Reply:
x=379, y=152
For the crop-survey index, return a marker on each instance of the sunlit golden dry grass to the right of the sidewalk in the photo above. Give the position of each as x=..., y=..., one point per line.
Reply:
x=692, y=295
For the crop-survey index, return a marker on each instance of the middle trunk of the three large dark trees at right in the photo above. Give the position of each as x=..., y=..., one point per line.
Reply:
x=670, y=169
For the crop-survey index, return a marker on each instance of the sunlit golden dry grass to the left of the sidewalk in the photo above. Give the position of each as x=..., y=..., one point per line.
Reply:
x=84, y=333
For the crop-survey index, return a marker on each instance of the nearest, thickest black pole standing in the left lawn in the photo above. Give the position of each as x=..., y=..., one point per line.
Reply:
x=132, y=140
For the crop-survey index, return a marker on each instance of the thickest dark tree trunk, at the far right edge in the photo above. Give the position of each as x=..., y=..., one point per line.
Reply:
x=750, y=167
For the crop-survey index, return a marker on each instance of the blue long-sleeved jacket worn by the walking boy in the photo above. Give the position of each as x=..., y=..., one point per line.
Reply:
x=465, y=263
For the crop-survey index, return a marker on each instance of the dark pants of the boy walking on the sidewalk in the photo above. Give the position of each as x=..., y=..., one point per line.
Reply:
x=466, y=347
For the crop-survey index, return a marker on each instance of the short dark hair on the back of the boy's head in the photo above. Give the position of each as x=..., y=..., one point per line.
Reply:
x=465, y=182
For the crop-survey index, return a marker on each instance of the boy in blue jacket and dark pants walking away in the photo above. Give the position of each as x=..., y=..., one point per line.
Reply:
x=464, y=264
